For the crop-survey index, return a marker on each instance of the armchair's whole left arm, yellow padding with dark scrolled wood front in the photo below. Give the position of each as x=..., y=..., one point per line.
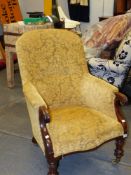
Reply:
x=38, y=114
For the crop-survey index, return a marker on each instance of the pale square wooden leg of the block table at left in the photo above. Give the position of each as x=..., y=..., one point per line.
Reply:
x=10, y=69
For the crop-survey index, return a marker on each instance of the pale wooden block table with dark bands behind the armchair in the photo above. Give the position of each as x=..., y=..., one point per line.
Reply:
x=12, y=32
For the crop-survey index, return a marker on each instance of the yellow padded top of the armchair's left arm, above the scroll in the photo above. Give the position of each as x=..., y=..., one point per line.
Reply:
x=33, y=95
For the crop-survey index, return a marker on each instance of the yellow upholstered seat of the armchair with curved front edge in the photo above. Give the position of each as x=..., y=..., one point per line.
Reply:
x=79, y=128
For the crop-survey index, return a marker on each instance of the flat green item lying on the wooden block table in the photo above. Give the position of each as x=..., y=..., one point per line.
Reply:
x=36, y=20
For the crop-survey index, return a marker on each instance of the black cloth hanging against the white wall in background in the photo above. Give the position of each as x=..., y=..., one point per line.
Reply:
x=78, y=12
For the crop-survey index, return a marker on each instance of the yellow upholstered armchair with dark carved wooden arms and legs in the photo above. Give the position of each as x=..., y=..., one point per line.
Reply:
x=70, y=110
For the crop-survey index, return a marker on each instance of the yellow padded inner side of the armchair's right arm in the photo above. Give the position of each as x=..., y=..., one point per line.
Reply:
x=98, y=94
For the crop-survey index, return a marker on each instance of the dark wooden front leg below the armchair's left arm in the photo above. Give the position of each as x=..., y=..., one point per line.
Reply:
x=53, y=165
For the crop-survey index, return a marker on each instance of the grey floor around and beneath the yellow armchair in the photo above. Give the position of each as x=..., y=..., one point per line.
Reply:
x=18, y=156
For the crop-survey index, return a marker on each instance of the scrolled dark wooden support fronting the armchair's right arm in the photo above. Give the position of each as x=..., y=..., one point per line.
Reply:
x=121, y=99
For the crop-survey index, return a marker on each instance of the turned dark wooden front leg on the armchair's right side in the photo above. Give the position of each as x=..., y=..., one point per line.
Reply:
x=119, y=152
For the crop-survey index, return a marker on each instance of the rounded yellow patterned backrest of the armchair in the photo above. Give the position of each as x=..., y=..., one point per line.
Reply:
x=52, y=60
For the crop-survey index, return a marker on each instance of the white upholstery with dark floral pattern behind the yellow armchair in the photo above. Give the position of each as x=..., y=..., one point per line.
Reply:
x=114, y=71
